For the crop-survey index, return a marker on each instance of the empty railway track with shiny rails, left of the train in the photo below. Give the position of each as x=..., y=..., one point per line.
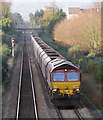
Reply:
x=26, y=102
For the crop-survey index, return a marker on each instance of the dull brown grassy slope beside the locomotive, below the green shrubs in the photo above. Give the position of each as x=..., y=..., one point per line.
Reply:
x=91, y=88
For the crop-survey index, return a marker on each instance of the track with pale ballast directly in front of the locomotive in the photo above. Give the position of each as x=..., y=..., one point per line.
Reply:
x=79, y=114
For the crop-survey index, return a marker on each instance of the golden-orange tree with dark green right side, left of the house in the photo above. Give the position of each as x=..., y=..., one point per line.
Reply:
x=52, y=15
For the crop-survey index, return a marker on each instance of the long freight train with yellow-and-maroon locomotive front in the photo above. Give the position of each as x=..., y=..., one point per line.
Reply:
x=63, y=77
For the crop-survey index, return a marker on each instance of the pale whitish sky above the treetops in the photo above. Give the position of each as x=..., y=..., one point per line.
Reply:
x=24, y=7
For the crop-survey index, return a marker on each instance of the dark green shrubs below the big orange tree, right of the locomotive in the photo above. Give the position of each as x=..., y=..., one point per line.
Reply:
x=89, y=65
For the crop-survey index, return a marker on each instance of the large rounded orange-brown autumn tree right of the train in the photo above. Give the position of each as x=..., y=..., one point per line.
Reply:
x=82, y=32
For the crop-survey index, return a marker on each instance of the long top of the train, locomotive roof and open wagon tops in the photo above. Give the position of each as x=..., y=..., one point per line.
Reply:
x=56, y=60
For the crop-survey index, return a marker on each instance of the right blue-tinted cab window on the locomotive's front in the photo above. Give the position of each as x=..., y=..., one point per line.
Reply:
x=72, y=76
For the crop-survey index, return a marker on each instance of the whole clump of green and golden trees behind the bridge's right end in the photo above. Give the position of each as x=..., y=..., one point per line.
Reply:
x=48, y=17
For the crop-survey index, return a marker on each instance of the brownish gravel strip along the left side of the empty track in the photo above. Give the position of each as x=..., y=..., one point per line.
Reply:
x=9, y=99
